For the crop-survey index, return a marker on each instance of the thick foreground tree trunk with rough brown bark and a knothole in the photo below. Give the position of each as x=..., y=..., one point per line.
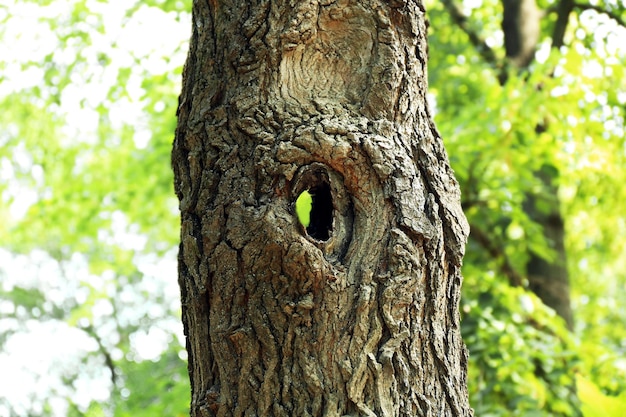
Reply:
x=357, y=314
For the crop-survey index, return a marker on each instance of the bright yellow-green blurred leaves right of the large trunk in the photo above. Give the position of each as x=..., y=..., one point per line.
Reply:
x=522, y=362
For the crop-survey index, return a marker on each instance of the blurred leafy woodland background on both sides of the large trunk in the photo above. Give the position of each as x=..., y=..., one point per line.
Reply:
x=529, y=96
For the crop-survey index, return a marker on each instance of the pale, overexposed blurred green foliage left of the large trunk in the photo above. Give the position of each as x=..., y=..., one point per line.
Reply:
x=88, y=118
